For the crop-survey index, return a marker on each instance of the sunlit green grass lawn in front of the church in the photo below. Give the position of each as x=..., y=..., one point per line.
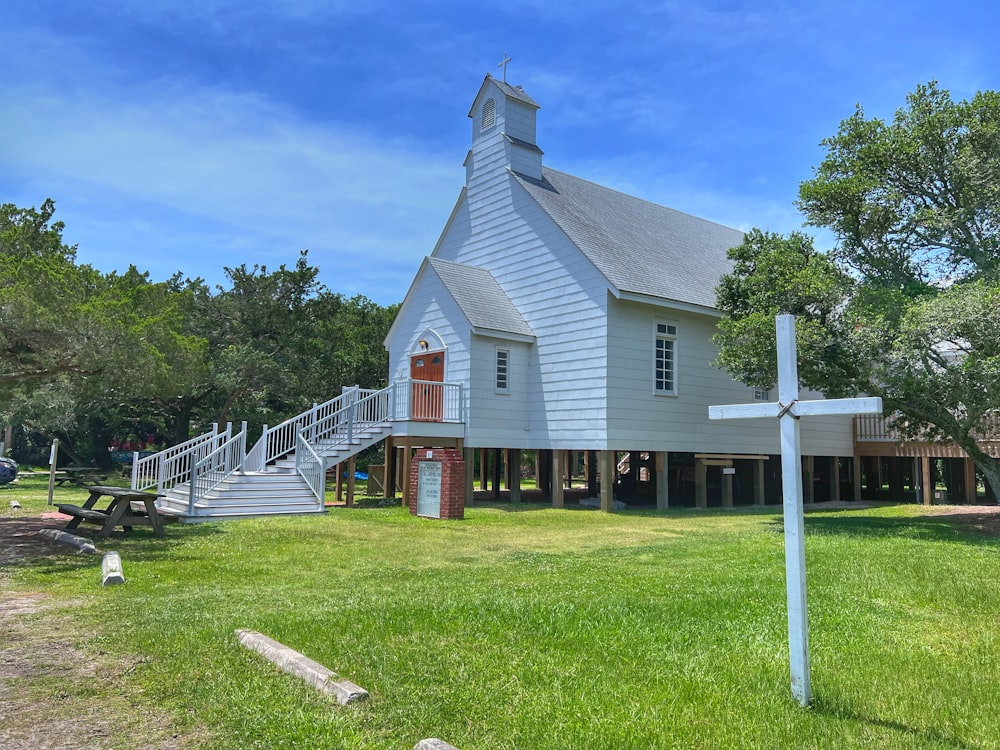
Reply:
x=527, y=627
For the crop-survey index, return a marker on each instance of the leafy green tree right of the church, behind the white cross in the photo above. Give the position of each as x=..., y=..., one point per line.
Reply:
x=907, y=306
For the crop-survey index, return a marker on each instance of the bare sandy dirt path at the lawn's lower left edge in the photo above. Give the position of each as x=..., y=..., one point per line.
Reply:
x=54, y=693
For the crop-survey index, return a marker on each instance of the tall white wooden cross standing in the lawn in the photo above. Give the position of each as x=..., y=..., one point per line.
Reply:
x=788, y=410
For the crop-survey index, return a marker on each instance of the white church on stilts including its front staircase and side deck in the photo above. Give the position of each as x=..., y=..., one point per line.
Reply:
x=564, y=326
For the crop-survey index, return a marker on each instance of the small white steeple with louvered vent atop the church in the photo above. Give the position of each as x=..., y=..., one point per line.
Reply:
x=503, y=117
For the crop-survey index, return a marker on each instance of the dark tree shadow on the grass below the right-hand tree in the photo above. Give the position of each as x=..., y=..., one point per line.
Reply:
x=950, y=528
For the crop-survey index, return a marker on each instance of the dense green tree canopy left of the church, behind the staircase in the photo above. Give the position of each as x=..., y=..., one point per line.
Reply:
x=88, y=355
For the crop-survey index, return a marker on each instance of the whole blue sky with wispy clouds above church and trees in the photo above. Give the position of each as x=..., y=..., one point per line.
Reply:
x=191, y=136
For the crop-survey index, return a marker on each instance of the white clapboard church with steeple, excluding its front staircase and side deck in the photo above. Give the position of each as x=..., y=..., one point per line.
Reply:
x=574, y=321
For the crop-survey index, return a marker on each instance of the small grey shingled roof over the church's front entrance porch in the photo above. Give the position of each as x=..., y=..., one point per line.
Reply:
x=481, y=300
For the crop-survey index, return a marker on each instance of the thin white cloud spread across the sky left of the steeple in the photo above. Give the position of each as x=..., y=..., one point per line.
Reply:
x=231, y=173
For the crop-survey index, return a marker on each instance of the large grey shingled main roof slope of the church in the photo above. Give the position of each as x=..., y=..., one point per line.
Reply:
x=641, y=248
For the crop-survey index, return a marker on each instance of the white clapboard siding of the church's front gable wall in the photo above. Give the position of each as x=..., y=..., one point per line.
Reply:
x=562, y=298
